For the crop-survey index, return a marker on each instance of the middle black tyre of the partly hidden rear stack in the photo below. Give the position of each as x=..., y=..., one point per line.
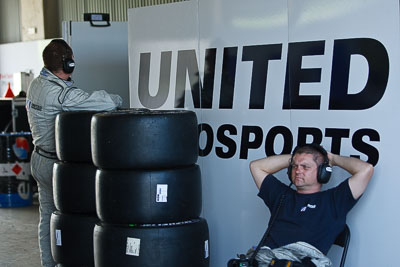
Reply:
x=74, y=187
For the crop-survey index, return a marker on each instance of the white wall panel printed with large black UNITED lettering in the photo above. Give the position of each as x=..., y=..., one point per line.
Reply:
x=360, y=121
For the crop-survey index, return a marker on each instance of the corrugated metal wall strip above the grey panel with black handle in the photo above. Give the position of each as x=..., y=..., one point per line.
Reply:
x=74, y=9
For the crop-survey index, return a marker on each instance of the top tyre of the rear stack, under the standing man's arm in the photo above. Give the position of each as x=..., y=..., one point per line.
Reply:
x=72, y=132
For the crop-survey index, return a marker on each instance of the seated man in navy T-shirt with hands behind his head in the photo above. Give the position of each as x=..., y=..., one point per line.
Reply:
x=307, y=216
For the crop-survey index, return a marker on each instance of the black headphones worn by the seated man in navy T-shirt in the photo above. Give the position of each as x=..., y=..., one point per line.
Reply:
x=324, y=169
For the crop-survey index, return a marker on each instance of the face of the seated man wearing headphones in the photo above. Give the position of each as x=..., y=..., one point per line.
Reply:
x=304, y=173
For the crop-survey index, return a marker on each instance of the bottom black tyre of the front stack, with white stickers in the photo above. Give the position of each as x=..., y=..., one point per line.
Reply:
x=177, y=244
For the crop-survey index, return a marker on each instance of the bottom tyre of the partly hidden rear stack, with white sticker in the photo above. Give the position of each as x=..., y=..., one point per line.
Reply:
x=72, y=239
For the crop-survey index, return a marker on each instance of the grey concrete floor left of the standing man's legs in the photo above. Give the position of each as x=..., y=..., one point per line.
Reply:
x=18, y=237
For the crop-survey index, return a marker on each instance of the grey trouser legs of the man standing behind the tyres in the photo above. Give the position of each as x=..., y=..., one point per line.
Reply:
x=42, y=172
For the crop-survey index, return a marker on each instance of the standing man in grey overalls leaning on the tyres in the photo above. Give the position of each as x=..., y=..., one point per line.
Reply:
x=48, y=95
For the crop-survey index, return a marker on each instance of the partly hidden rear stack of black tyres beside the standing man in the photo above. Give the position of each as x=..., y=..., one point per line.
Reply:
x=72, y=225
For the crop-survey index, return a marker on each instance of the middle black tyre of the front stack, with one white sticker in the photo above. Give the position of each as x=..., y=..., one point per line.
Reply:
x=148, y=196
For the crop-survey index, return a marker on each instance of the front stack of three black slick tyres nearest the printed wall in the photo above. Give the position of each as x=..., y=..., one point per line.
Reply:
x=148, y=190
